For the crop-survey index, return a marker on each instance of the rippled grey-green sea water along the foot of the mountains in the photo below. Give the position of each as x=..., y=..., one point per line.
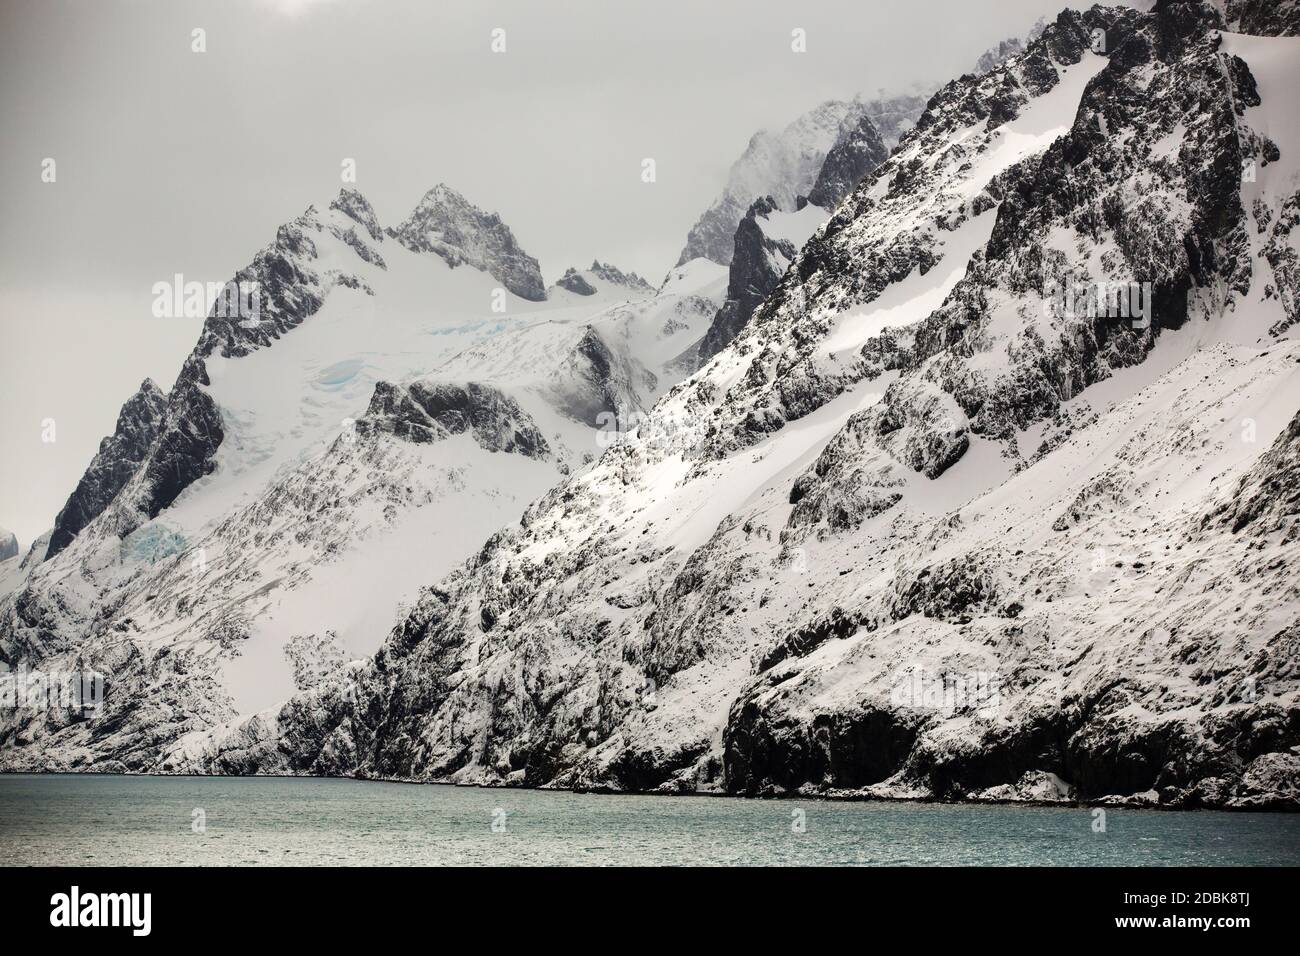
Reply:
x=93, y=820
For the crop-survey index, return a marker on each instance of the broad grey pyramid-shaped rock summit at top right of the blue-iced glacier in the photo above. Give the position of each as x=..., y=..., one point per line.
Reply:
x=449, y=226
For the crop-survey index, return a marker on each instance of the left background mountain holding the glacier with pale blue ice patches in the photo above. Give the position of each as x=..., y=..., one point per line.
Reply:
x=392, y=404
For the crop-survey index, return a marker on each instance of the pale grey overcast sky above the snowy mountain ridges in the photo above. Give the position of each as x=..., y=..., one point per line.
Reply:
x=170, y=161
